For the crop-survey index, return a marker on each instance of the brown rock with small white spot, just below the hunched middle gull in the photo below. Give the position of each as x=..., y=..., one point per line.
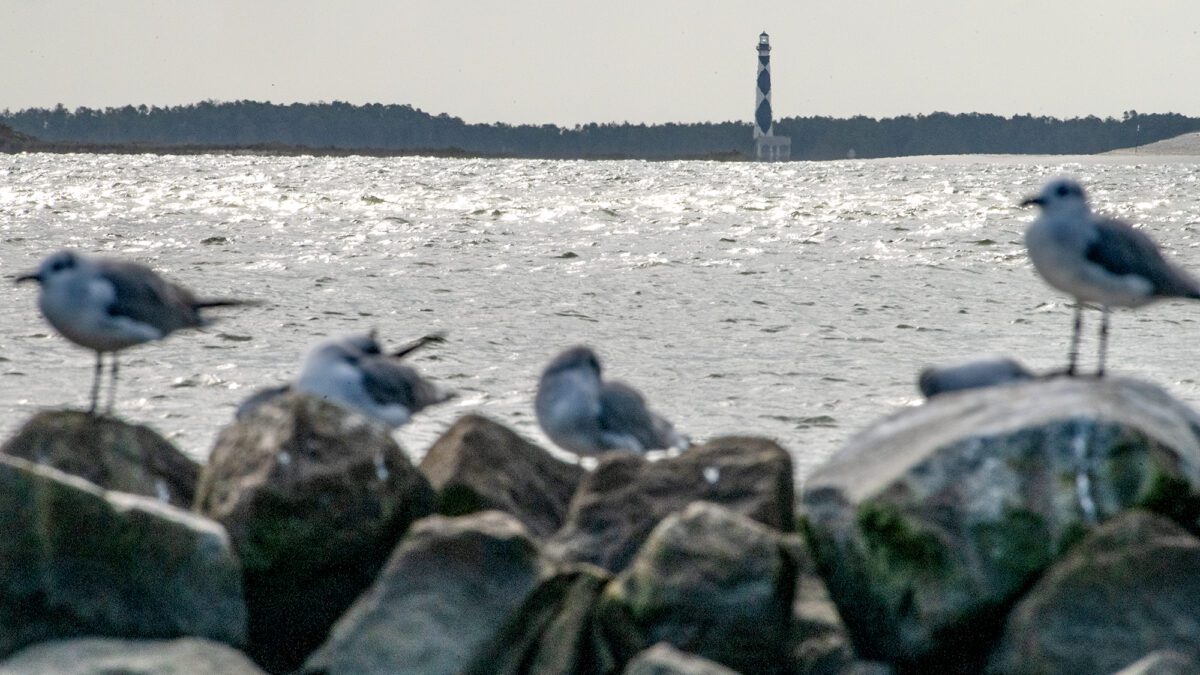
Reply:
x=619, y=504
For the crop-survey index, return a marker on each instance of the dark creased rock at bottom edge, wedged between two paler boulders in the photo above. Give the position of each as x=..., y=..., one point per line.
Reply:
x=560, y=631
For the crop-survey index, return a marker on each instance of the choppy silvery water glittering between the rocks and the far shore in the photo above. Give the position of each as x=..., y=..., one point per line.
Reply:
x=795, y=301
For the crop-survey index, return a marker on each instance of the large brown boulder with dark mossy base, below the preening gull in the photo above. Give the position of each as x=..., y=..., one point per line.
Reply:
x=315, y=499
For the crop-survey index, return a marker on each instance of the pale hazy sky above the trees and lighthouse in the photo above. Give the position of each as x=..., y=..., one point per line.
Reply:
x=611, y=61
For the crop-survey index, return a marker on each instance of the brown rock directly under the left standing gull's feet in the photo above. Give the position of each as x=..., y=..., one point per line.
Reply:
x=111, y=453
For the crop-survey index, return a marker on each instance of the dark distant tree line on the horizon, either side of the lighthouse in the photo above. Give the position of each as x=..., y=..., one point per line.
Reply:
x=341, y=126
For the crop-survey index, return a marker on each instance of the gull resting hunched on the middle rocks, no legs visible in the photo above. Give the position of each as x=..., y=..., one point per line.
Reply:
x=587, y=416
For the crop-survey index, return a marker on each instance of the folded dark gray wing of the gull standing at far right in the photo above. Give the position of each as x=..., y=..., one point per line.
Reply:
x=1123, y=250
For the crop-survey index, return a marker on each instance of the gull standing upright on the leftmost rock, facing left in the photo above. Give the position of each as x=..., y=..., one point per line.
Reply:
x=109, y=306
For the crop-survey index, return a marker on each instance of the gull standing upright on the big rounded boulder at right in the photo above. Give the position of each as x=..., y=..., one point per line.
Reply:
x=1097, y=261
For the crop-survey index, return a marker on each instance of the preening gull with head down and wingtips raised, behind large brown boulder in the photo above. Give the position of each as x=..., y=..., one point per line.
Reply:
x=356, y=374
